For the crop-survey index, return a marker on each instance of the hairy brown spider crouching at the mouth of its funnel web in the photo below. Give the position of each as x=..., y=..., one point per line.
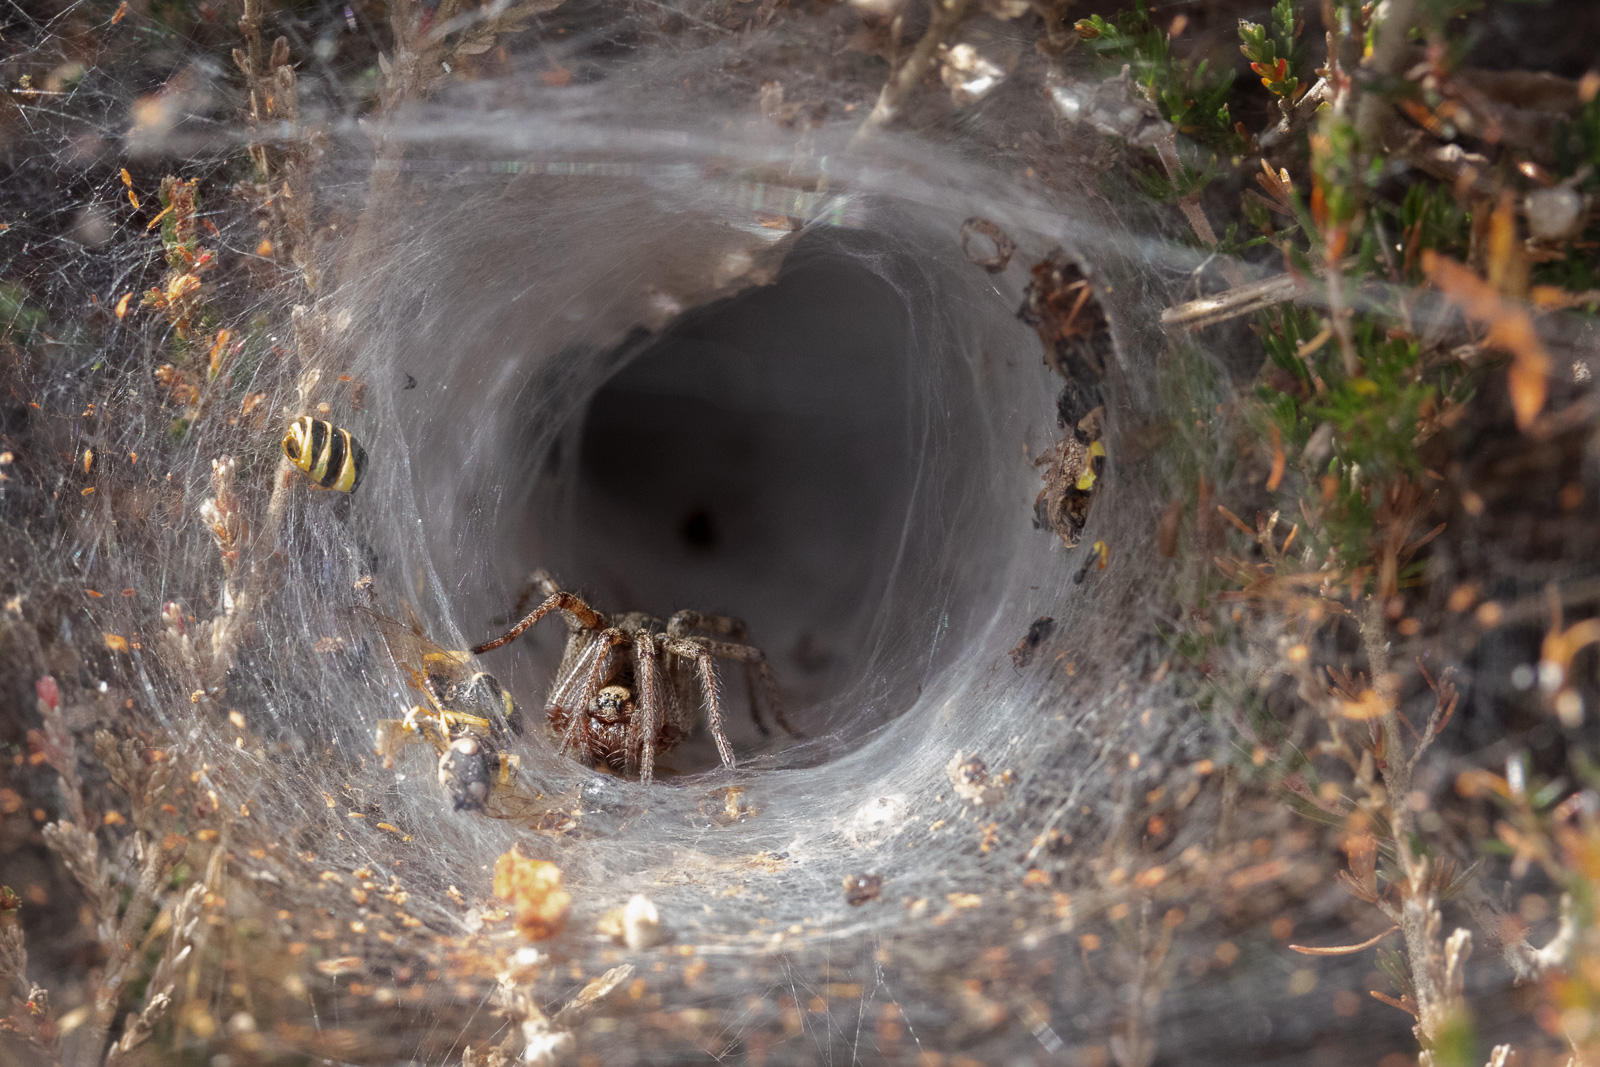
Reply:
x=628, y=709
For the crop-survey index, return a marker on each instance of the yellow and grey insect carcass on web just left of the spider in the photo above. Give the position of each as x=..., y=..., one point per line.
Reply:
x=466, y=716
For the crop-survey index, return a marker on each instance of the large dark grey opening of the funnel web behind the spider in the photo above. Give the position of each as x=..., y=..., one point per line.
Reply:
x=754, y=460
